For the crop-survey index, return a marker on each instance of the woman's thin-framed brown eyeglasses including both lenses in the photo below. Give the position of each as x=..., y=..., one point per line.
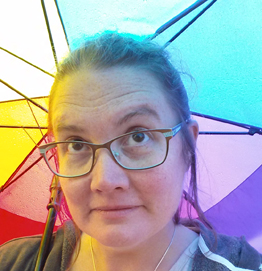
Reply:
x=142, y=149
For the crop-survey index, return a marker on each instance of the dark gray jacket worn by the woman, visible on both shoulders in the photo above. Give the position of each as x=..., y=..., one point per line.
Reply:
x=229, y=253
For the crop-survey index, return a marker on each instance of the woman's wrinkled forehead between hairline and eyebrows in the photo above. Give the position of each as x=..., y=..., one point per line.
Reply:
x=94, y=86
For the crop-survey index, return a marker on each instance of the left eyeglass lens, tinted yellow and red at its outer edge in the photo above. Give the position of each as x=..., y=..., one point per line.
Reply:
x=75, y=158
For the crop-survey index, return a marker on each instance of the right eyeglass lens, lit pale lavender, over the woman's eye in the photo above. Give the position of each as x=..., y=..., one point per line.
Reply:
x=140, y=150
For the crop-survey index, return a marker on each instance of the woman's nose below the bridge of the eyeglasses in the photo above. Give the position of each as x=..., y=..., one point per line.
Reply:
x=107, y=175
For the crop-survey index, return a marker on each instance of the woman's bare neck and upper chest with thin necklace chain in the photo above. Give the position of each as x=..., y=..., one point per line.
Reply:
x=145, y=256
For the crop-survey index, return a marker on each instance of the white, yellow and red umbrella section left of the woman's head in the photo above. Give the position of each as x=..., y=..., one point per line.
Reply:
x=26, y=67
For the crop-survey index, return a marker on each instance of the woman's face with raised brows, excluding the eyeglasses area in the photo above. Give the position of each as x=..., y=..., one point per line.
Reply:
x=116, y=206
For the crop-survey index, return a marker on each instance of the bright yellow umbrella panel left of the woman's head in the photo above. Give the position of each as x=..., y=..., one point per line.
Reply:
x=19, y=132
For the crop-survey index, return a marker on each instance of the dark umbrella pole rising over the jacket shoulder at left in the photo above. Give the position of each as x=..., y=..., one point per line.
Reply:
x=53, y=207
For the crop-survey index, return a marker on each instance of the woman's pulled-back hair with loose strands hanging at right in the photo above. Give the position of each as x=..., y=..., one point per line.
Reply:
x=115, y=50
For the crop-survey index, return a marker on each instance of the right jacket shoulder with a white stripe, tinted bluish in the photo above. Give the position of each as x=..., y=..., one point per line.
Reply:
x=225, y=252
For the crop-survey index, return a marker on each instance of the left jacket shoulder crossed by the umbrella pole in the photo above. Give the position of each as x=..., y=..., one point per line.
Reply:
x=21, y=253
